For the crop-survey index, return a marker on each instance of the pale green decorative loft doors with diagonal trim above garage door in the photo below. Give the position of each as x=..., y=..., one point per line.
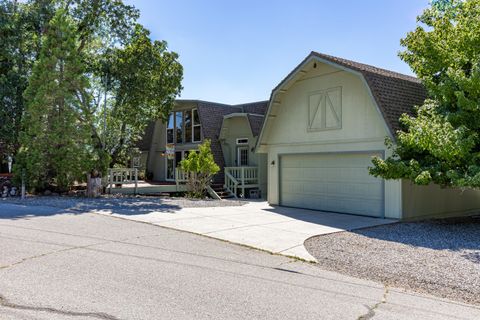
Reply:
x=325, y=109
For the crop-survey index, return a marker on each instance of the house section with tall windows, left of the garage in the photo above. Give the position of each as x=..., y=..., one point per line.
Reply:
x=233, y=131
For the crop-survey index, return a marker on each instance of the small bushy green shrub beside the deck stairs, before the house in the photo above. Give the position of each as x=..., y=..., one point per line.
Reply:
x=201, y=168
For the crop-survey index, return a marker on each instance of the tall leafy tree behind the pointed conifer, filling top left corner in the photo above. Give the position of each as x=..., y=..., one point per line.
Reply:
x=98, y=24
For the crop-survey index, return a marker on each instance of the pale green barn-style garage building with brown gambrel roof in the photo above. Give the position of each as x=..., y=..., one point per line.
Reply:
x=324, y=123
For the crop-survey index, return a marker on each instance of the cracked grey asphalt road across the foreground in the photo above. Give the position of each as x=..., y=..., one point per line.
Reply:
x=72, y=265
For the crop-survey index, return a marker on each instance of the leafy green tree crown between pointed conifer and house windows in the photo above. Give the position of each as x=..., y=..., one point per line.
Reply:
x=144, y=80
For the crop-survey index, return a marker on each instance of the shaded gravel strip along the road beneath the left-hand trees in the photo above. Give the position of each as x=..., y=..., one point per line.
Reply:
x=118, y=202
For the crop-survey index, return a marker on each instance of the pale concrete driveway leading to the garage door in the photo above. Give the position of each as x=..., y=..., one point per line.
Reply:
x=256, y=224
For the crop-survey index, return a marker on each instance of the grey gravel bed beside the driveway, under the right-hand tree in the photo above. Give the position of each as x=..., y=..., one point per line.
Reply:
x=439, y=257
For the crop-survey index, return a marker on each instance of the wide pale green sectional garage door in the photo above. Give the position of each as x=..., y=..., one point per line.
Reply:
x=337, y=182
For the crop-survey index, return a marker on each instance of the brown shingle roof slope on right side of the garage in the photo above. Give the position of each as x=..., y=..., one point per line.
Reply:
x=395, y=93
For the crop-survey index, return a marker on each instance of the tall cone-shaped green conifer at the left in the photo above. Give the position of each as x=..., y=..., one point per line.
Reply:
x=55, y=142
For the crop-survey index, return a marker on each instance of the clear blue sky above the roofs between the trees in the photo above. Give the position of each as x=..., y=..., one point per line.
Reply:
x=238, y=51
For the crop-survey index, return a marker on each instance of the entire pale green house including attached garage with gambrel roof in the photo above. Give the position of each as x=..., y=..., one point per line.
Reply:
x=311, y=144
